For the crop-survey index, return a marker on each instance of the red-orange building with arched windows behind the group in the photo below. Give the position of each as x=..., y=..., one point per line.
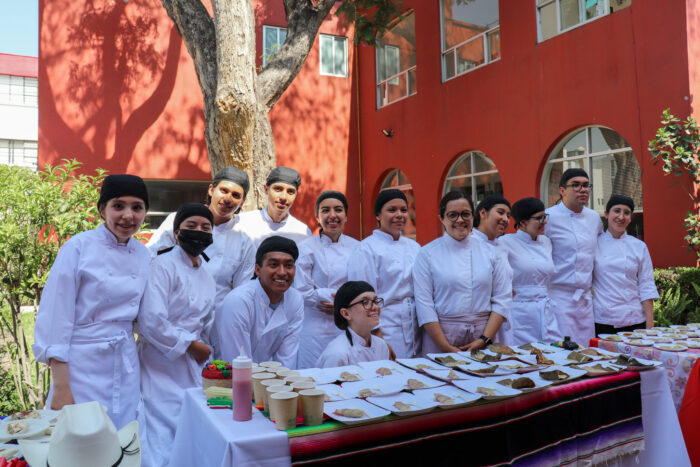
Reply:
x=485, y=96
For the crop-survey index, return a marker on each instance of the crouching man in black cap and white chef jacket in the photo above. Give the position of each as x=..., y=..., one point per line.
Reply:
x=263, y=318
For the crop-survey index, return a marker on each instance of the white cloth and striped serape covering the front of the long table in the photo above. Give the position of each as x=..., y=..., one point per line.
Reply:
x=589, y=420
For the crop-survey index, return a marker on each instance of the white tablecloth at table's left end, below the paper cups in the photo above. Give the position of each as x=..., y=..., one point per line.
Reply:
x=212, y=438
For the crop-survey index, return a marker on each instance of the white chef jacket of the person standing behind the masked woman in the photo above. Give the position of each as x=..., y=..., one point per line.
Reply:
x=231, y=255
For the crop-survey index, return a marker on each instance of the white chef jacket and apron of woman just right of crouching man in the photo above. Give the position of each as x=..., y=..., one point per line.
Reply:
x=322, y=267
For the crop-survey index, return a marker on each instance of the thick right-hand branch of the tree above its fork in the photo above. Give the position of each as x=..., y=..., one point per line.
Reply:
x=303, y=21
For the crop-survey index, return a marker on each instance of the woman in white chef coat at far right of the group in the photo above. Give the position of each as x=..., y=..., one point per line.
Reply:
x=623, y=276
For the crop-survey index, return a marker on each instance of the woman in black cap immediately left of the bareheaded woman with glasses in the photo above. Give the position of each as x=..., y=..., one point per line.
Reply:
x=385, y=260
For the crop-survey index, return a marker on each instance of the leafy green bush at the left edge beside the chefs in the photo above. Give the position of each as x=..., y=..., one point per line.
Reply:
x=39, y=212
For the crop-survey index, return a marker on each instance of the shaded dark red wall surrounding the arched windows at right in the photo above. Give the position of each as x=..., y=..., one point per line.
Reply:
x=619, y=71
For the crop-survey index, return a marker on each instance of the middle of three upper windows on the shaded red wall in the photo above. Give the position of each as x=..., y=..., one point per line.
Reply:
x=471, y=36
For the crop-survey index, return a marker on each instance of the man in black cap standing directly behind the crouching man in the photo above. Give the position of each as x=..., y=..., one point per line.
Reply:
x=282, y=188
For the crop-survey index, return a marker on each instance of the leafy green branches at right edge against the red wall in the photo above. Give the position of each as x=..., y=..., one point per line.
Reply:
x=676, y=146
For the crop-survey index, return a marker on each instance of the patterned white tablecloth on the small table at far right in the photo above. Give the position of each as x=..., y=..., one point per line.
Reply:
x=676, y=364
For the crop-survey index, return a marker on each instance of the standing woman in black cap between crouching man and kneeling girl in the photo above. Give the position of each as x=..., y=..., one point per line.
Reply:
x=321, y=269
